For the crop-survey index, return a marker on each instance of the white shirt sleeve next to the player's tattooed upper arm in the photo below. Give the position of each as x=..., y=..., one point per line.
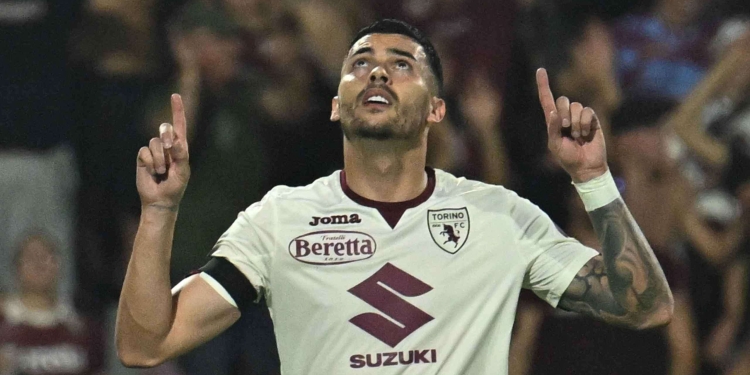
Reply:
x=553, y=259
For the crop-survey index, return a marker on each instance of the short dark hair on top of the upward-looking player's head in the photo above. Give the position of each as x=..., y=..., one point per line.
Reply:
x=393, y=26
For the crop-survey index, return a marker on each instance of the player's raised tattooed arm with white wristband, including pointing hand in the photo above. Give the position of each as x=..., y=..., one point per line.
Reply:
x=625, y=285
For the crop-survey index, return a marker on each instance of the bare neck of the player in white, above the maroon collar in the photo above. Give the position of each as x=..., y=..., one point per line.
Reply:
x=377, y=171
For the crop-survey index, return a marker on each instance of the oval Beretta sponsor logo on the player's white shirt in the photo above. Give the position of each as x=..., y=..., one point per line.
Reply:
x=332, y=247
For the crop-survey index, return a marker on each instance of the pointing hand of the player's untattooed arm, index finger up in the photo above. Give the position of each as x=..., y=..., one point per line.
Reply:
x=163, y=170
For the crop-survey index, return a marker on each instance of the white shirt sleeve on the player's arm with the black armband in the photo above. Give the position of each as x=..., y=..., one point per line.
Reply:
x=248, y=244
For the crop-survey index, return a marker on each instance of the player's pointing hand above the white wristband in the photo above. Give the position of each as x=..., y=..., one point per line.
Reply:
x=574, y=134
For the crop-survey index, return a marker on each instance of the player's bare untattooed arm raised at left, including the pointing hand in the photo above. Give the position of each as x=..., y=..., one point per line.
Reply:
x=152, y=325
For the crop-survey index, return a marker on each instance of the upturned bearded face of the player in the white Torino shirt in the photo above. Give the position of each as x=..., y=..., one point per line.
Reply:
x=386, y=90
